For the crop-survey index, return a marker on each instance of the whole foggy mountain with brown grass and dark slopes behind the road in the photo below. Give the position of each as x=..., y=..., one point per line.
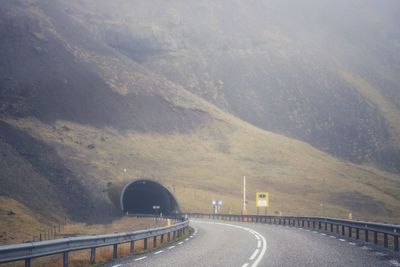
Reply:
x=196, y=95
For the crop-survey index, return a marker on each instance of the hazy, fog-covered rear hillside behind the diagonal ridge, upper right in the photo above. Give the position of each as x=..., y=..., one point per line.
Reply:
x=285, y=67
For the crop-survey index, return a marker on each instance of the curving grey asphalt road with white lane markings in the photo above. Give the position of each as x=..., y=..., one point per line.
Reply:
x=218, y=243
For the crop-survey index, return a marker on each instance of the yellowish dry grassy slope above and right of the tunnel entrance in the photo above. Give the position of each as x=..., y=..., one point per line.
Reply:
x=210, y=162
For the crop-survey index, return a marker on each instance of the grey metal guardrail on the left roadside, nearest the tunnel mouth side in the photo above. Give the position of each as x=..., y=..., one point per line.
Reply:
x=28, y=251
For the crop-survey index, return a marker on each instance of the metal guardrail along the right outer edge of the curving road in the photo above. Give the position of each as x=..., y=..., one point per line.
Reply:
x=353, y=229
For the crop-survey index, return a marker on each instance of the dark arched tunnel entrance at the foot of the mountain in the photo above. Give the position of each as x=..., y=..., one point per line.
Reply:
x=147, y=197
